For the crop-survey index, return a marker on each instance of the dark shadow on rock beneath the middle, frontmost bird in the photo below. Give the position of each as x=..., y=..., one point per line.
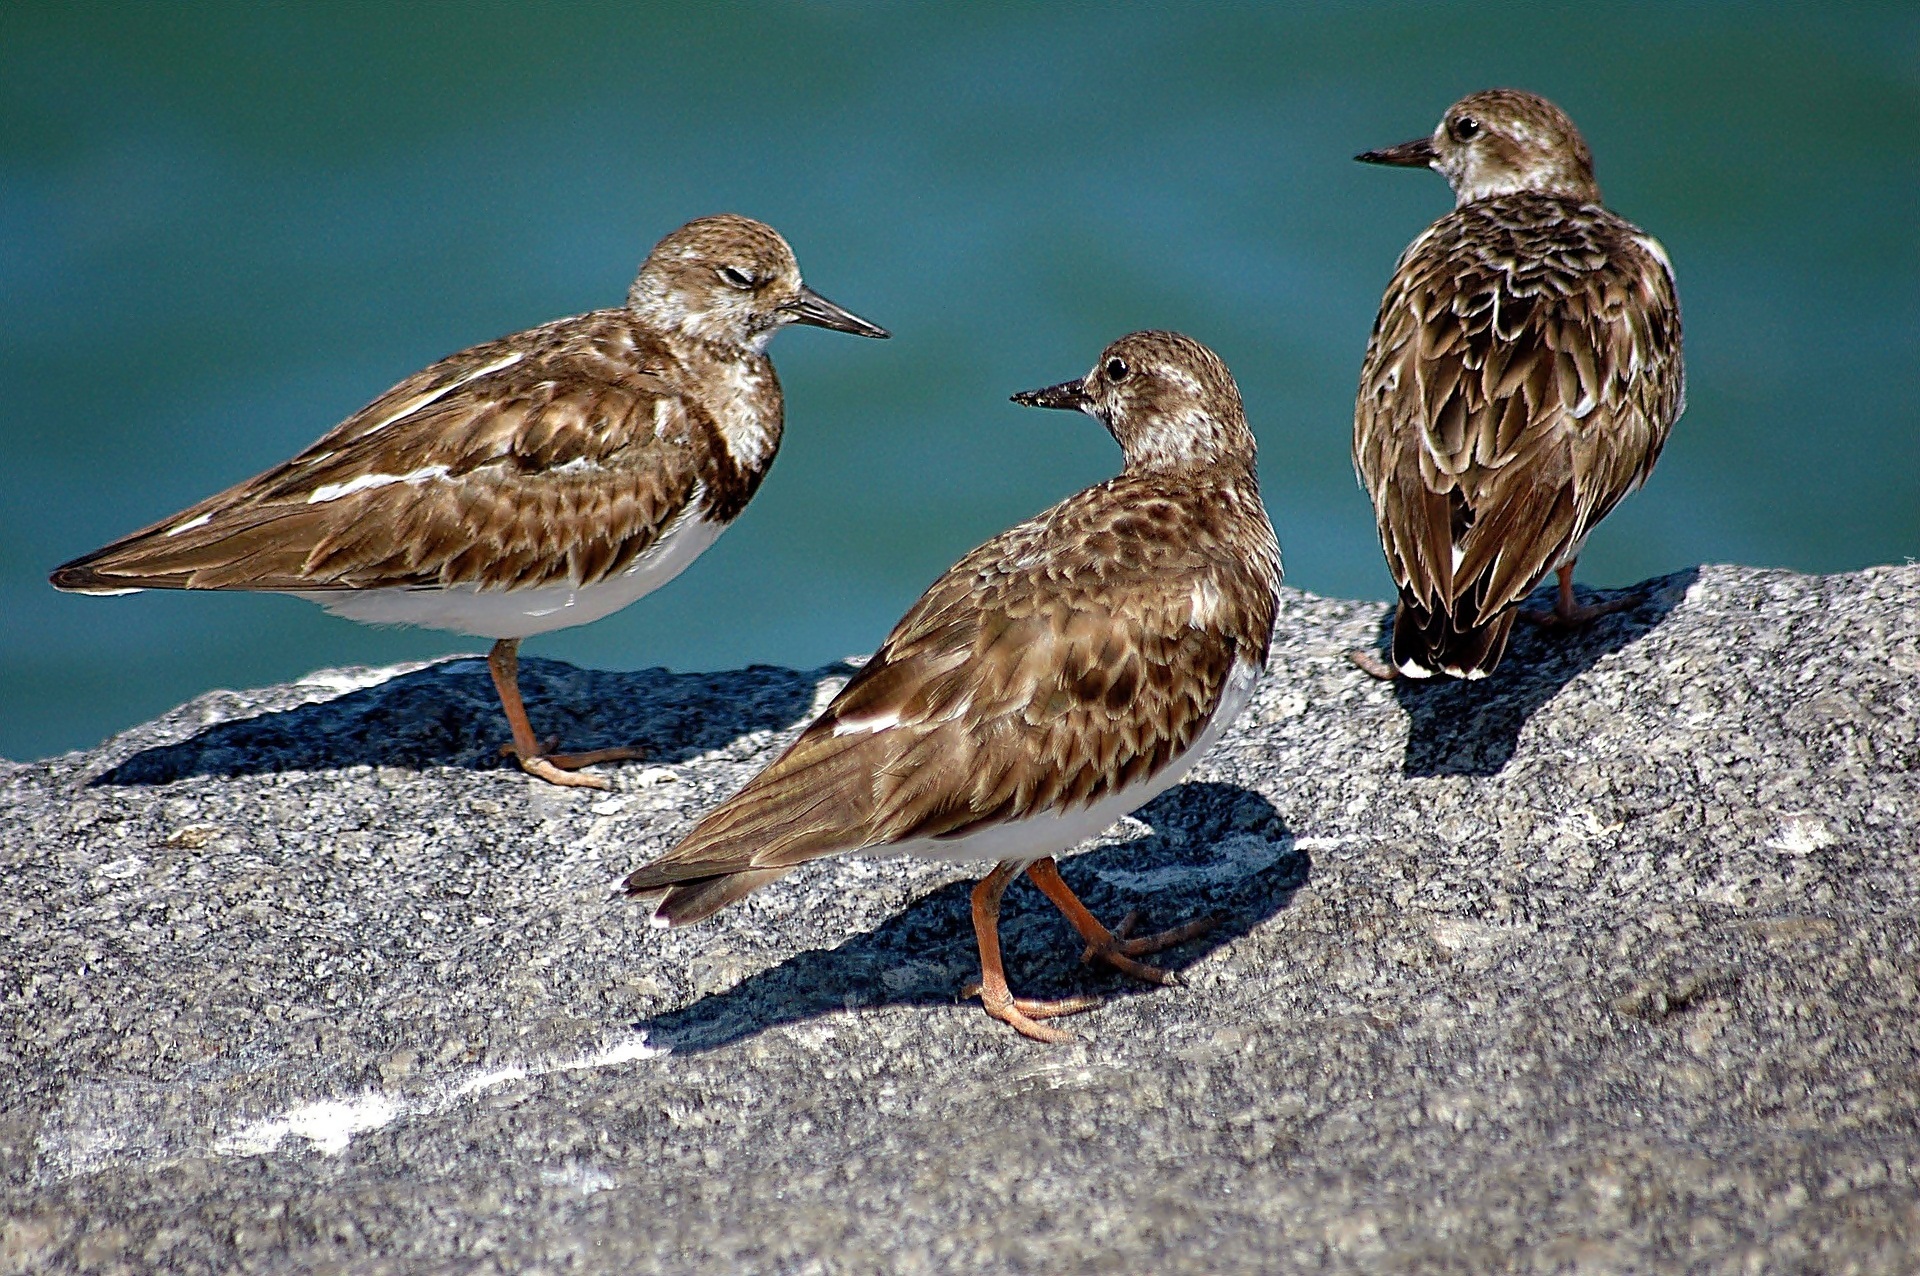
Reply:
x=1214, y=851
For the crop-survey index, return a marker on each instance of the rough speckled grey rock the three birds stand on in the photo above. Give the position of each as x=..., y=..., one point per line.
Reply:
x=1604, y=964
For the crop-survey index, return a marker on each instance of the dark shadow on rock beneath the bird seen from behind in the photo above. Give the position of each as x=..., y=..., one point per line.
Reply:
x=1472, y=728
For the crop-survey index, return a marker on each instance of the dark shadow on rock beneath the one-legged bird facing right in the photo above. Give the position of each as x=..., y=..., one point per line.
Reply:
x=448, y=715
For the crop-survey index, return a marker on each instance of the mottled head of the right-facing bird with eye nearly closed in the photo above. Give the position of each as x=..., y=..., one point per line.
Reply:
x=732, y=283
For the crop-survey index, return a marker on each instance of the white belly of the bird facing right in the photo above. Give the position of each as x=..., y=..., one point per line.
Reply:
x=525, y=613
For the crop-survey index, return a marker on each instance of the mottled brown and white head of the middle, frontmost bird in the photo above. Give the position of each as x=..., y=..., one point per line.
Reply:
x=1166, y=400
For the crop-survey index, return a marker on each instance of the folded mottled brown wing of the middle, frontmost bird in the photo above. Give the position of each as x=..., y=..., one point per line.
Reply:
x=1051, y=667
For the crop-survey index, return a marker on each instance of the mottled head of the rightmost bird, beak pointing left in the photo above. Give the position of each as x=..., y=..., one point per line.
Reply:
x=1500, y=143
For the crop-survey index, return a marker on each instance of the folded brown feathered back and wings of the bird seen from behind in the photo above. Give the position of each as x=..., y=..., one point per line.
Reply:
x=1522, y=381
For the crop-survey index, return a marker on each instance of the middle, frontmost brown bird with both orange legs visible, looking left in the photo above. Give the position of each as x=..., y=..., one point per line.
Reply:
x=1057, y=678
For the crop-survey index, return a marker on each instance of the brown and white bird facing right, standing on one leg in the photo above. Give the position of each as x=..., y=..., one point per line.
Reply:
x=521, y=486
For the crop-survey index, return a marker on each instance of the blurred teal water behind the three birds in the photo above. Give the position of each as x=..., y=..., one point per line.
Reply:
x=228, y=227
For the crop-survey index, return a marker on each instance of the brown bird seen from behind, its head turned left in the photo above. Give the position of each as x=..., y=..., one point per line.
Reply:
x=1522, y=379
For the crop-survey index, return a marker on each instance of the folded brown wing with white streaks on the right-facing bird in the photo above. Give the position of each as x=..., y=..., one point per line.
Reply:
x=562, y=465
